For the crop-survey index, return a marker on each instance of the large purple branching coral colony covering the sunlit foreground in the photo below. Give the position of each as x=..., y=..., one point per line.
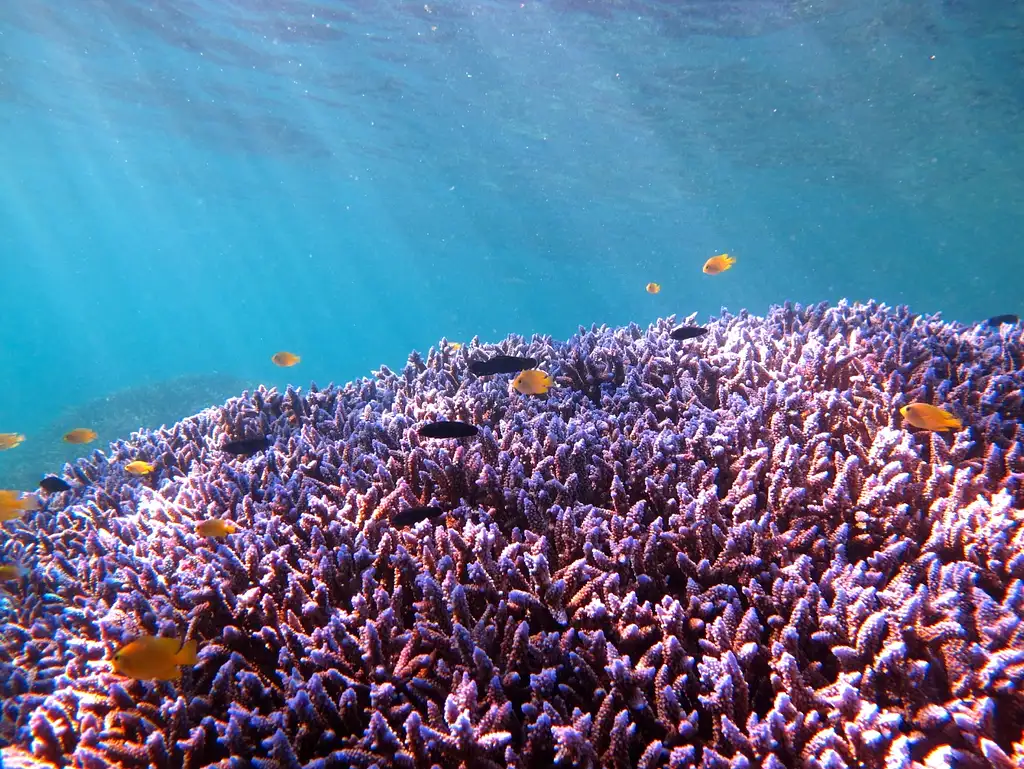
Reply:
x=728, y=552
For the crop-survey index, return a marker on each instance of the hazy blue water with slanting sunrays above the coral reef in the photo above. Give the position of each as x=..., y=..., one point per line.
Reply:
x=187, y=188
